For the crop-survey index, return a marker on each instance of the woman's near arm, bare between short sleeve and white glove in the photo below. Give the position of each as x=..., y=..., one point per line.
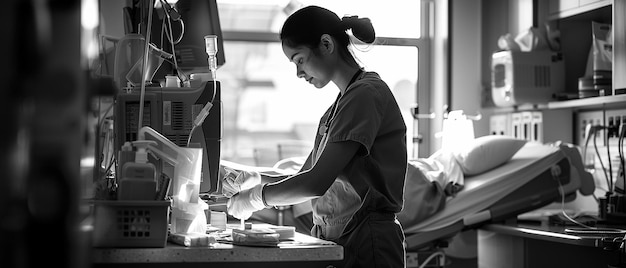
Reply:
x=314, y=182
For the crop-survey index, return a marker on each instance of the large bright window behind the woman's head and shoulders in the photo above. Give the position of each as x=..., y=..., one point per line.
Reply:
x=266, y=105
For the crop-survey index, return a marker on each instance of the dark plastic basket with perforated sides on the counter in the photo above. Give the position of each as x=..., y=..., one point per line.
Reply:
x=130, y=223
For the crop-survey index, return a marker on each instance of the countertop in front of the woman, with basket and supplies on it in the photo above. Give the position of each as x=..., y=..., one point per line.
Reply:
x=303, y=251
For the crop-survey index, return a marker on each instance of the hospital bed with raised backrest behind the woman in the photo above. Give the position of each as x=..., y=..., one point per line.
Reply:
x=535, y=176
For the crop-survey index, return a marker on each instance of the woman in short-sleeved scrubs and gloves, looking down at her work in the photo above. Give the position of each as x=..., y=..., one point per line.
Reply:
x=356, y=170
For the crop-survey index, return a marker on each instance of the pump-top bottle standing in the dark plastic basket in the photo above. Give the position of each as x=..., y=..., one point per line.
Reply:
x=139, y=177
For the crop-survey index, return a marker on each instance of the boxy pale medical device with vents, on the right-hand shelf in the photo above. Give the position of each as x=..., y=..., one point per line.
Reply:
x=526, y=77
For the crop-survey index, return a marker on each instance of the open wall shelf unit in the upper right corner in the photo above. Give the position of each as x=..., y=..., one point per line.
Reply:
x=573, y=19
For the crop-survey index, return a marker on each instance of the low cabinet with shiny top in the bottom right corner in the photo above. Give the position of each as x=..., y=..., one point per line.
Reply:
x=520, y=245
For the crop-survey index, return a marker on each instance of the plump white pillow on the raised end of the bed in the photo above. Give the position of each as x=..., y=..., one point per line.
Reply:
x=487, y=152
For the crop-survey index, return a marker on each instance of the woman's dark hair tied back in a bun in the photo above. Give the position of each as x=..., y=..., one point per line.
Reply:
x=305, y=27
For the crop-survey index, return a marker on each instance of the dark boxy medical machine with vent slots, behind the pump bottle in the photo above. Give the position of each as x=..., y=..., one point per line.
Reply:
x=170, y=111
